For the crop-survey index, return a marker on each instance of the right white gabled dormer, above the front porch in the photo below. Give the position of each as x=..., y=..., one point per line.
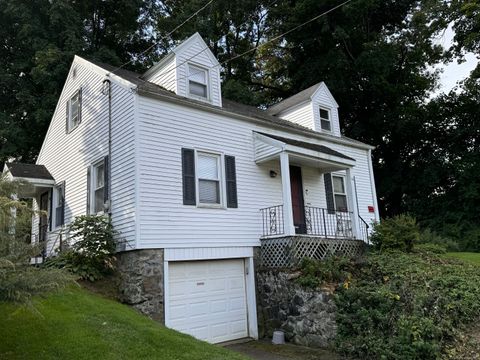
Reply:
x=314, y=108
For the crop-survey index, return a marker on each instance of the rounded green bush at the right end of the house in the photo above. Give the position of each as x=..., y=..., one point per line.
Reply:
x=397, y=233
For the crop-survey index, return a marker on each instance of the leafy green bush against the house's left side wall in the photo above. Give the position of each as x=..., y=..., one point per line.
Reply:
x=92, y=252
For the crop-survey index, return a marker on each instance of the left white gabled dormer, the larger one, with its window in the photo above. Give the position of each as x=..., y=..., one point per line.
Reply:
x=190, y=70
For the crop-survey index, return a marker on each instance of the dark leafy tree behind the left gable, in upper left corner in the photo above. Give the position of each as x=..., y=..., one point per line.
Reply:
x=39, y=40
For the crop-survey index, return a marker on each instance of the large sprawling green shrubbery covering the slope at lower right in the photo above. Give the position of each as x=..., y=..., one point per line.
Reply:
x=405, y=306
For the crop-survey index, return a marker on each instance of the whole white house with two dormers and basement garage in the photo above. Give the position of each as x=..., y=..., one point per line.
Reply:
x=184, y=178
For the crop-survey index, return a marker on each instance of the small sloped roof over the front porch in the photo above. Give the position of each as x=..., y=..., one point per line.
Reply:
x=268, y=147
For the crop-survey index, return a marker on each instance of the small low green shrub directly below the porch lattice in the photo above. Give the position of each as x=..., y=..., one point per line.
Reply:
x=334, y=269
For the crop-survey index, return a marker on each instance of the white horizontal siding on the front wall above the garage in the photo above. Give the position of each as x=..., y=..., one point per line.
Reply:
x=164, y=220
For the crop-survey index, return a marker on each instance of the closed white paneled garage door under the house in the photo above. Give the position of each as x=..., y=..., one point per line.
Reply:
x=207, y=299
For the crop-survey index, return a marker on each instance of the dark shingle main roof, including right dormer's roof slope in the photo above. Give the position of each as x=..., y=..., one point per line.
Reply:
x=227, y=105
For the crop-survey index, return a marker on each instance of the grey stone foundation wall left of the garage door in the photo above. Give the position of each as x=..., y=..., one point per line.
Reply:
x=141, y=281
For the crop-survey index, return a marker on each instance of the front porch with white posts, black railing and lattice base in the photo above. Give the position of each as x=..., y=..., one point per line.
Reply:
x=293, y=228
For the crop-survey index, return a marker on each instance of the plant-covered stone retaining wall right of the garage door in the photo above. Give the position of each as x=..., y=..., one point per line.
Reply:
x=307, y=316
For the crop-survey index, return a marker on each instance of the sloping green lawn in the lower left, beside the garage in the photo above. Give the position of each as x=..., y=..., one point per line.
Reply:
x=76, y=324
